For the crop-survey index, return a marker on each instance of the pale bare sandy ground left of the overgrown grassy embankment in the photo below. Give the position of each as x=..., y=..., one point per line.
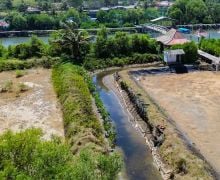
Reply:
x=38, y=107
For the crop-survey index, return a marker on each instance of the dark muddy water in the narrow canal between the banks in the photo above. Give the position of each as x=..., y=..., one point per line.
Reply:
x=137, y=157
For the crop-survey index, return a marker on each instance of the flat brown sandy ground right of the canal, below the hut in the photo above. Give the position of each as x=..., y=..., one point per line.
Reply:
x=193, y=101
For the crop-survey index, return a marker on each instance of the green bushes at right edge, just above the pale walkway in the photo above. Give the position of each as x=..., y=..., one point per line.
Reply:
x=211, y=46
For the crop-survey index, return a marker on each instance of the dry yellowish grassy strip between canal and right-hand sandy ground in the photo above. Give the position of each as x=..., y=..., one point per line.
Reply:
x=185, y=163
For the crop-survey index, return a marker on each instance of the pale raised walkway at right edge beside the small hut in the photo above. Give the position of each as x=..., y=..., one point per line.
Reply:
x=210, y=58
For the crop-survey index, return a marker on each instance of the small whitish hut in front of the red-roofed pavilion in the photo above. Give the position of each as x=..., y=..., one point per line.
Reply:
x=173, y=56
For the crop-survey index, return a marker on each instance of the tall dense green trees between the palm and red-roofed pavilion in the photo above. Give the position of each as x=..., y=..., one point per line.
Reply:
x=122, y=44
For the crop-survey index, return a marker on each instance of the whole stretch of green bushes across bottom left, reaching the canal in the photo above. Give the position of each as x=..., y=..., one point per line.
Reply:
x=26, y=156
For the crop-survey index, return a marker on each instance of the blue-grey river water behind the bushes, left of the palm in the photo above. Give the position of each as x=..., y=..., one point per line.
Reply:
x=18, y=40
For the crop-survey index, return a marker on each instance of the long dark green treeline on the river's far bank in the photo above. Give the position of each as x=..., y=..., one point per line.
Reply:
x=54, y=20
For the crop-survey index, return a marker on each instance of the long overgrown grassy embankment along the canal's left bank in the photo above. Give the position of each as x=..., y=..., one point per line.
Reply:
x=83, y=130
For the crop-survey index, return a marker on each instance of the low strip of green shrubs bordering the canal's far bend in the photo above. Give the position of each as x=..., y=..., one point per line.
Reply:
x=92, y=63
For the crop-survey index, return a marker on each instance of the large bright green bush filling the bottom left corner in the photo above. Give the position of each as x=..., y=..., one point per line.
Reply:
x=25, y=156
